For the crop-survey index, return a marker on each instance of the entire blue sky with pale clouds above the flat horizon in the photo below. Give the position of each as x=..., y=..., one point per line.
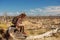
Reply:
x=30, y=7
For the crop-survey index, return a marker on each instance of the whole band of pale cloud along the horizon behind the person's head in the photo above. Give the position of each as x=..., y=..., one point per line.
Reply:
x=50, y=10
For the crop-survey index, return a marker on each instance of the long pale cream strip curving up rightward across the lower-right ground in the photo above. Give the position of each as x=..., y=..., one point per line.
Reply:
x=47, y=34
